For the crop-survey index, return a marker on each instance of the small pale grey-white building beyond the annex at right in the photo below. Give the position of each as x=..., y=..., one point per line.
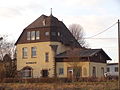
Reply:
x=112, y=69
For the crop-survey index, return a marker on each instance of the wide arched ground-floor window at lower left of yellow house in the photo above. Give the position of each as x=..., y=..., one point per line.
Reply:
x=27, y=72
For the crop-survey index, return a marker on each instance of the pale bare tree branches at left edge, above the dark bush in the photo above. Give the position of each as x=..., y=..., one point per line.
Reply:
x=6, y=47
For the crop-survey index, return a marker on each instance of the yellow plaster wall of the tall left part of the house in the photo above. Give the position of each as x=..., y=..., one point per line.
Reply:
x=38, y=63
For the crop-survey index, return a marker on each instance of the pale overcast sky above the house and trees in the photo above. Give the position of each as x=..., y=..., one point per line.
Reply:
x=93, y=15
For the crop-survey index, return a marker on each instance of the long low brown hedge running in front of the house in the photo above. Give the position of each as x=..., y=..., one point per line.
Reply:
x=56, y=80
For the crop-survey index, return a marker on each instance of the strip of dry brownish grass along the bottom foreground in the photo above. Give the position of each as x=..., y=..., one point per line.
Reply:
x=110, y=85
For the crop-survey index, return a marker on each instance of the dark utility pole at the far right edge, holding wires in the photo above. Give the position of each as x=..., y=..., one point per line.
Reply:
x=119, y=52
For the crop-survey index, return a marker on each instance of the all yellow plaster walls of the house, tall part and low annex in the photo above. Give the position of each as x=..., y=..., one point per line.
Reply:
x=38, y=63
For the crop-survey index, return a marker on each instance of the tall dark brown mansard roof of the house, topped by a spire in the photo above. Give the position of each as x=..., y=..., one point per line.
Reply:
x=51, y=24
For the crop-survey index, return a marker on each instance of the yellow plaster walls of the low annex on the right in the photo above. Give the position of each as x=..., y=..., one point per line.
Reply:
x=86, y=68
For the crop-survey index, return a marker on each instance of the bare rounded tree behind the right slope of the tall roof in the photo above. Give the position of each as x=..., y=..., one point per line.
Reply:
x=78, y=33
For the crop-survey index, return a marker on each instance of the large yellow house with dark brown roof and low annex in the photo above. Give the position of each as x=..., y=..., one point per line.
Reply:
x=45, y=49
